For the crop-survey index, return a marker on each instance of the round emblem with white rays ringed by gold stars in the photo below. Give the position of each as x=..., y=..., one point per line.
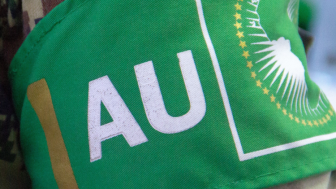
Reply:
x=277, y=63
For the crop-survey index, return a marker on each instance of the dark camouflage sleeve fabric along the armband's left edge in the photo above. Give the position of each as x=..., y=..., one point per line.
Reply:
x=17, y=19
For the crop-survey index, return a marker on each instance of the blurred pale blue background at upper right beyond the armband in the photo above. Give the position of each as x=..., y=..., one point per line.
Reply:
x=319, y=18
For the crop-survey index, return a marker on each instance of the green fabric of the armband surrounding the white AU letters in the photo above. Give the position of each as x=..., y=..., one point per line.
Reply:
x=81, y=41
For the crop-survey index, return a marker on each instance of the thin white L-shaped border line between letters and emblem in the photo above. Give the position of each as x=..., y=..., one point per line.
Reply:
x=241, y=155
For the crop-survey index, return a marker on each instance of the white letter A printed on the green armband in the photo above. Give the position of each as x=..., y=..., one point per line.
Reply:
x=102, y=90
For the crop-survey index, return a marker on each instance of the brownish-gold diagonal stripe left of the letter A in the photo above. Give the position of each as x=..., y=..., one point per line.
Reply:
x=39, y=96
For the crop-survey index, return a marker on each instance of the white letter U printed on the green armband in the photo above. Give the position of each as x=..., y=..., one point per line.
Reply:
x=153, y=102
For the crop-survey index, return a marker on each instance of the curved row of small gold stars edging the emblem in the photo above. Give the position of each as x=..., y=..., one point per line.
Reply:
x=240, y=34
